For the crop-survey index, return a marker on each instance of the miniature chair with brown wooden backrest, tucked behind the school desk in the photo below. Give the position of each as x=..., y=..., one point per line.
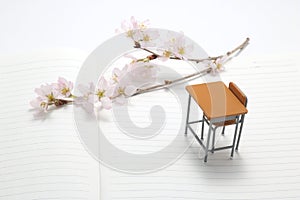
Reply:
x=243, y=99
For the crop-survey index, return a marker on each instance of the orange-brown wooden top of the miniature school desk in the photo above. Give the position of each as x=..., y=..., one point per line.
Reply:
x=216, y=100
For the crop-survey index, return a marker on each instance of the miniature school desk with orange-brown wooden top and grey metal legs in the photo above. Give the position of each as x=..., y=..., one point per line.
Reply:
x=219, y=105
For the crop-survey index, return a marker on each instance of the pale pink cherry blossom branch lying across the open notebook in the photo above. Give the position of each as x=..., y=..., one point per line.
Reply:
x=116, y=90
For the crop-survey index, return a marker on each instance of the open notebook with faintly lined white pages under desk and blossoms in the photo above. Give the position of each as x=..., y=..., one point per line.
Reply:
x=44, y=159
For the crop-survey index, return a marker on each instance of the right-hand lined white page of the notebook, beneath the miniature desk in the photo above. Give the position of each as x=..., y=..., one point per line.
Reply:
x=267, y=163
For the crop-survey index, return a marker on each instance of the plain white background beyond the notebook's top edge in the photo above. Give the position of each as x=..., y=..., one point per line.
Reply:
x=216, y=25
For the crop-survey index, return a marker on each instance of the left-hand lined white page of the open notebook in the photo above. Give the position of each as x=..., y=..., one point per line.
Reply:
x=41, y=158
